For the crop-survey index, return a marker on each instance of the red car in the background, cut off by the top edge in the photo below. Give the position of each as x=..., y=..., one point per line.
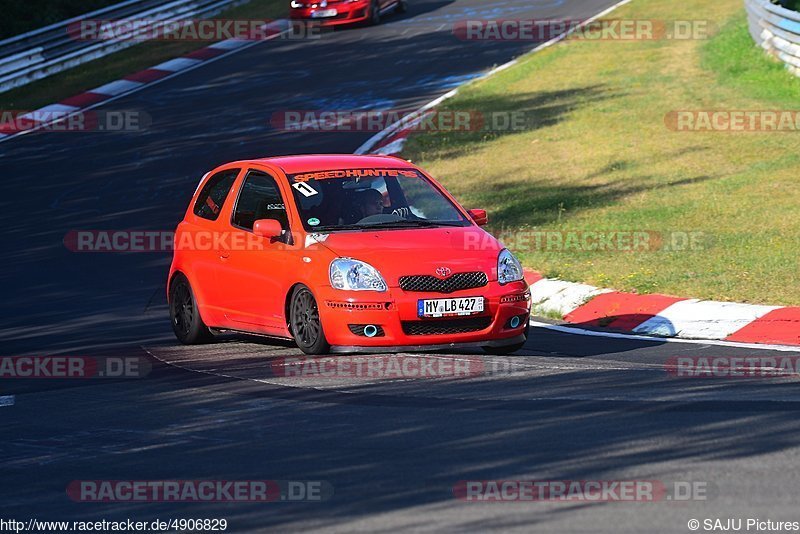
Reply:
x=334, y=12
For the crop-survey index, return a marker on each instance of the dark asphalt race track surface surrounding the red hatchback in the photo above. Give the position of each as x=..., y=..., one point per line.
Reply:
x=566, y=407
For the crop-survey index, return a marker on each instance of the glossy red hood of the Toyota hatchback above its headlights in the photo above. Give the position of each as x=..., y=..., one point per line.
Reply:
x=397, y=253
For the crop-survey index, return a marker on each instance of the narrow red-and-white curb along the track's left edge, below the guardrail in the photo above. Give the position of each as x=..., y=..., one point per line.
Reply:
x=55, y=113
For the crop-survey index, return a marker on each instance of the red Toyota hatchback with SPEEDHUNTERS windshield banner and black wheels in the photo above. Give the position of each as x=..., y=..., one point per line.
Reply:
x=342, y=253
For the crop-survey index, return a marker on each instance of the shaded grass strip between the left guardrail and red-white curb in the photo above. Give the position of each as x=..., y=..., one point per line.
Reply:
x=115, y=66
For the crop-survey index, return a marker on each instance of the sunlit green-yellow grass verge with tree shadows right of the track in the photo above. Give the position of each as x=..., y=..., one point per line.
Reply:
x=596, y=155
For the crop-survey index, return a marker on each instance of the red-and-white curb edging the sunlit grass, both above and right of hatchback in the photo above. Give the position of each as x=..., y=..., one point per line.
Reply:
x=587, y=307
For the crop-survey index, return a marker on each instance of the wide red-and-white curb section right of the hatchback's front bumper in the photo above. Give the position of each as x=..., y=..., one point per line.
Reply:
x=590, y=307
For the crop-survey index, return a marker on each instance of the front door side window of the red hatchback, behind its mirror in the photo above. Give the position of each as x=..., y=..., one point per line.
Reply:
x=259, y=198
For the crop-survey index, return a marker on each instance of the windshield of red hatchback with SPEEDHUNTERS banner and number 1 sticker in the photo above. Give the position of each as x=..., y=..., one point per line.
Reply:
x=356, y=199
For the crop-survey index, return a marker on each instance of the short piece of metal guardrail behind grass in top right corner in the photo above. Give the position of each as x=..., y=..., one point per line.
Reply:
x=777, y=30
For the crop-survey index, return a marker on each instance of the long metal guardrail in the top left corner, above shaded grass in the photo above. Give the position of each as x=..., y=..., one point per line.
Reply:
x=46, y=51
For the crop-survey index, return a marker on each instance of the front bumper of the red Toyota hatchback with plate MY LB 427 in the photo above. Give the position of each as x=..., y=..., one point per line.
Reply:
x=394, y=314
